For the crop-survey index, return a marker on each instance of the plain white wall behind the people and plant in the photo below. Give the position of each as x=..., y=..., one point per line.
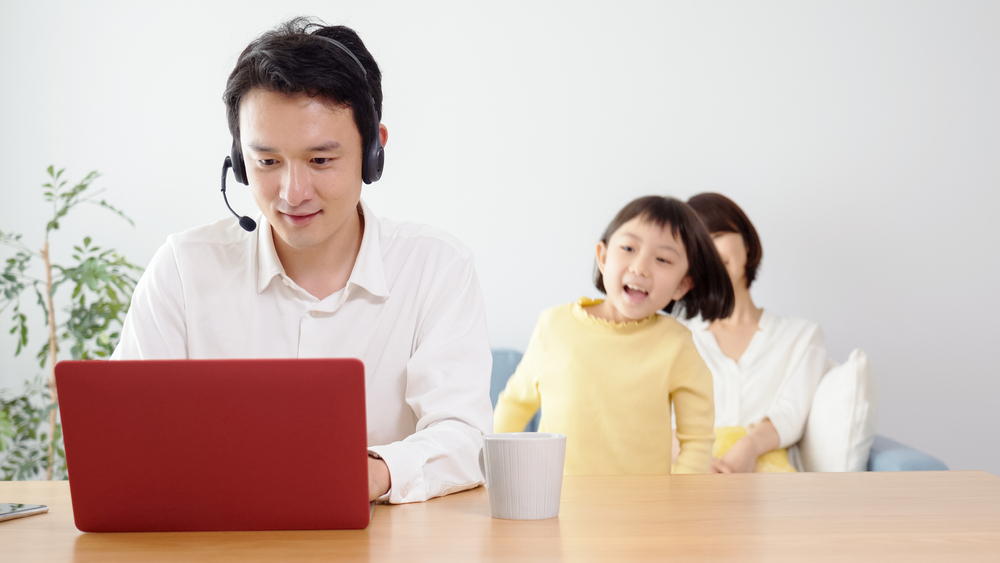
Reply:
x=863, y=139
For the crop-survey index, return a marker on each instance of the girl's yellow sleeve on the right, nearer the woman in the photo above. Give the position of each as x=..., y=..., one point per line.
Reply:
x=694, y=409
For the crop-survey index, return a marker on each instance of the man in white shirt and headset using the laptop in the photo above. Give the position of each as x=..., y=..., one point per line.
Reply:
x=321, y=276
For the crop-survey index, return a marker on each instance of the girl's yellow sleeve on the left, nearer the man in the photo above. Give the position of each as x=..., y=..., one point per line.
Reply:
x=520, y=399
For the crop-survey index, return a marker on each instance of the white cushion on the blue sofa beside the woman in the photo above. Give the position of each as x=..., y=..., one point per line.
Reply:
x=841, y=425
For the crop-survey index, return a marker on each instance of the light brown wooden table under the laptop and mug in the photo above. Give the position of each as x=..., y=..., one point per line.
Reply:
x=927, y=516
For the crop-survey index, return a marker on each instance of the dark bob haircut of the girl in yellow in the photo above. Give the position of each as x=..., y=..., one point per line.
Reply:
x=712, y=293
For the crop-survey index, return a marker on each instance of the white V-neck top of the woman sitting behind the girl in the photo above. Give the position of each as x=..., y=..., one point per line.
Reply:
x=775, y=378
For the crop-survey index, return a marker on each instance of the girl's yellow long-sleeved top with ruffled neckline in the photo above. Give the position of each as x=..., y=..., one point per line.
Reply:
x=609, y=387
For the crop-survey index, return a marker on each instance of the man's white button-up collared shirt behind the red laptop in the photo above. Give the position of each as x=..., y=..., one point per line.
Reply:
x=412, y=312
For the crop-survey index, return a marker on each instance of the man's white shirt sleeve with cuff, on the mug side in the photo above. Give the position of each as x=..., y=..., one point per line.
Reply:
x=447, y=387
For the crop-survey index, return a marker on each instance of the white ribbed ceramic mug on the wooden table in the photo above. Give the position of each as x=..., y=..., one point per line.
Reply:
x=523, y=473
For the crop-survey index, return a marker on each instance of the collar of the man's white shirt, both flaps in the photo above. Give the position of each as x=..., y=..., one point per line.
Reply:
x=368, y=272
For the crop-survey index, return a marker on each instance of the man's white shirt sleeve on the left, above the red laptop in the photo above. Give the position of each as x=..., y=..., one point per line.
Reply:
x=154, y=327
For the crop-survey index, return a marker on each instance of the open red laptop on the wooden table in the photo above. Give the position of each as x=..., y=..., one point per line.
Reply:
x=189, y=445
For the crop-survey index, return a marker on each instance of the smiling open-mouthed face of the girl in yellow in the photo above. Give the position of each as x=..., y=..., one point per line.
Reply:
x=644, y=268
